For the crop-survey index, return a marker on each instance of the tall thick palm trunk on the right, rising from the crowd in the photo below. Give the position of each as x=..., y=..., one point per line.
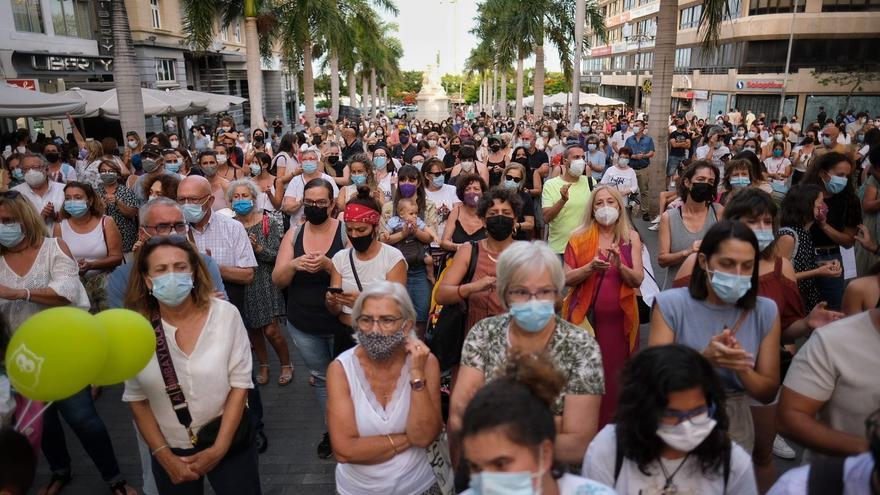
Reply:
x=661, y=98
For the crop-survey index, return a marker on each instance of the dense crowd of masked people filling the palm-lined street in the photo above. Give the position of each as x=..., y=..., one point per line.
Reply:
x=467, y=297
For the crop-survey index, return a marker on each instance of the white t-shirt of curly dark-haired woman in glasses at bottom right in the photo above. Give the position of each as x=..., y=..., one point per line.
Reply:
x=599, y=466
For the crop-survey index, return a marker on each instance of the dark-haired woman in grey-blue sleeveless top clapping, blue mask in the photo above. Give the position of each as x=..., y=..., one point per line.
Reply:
x=721, y=315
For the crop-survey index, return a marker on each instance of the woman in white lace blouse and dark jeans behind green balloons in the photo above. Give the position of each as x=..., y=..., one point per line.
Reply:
x=36, y=273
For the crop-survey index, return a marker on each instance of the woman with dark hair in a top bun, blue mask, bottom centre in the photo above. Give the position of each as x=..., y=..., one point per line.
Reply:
x=511, y=419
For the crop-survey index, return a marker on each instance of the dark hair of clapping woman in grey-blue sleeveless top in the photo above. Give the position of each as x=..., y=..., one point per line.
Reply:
x=720, y=232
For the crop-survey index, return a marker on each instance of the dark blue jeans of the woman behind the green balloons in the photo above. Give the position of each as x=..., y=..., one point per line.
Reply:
x=80, y=414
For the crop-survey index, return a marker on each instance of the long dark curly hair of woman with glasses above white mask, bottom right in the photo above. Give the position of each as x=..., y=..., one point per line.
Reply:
x=647, y=380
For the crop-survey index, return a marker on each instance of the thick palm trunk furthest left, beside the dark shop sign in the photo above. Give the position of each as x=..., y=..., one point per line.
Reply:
x=125, y=74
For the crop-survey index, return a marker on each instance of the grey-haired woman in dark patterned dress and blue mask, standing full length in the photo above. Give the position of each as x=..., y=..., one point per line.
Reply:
x=264, y=305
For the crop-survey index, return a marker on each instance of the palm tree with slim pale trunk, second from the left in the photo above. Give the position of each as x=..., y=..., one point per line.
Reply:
x=199, y=17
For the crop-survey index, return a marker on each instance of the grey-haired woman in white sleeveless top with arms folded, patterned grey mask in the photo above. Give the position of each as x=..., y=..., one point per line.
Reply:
x=383, y=404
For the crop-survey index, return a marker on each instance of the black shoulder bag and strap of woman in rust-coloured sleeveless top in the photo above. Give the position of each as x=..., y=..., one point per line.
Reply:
x=445, y=335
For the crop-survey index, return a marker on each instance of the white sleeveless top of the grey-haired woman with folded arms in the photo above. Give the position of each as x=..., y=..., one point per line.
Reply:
x=404, y=474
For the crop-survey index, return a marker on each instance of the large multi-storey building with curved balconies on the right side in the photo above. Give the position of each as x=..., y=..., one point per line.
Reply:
x=748, y=70
